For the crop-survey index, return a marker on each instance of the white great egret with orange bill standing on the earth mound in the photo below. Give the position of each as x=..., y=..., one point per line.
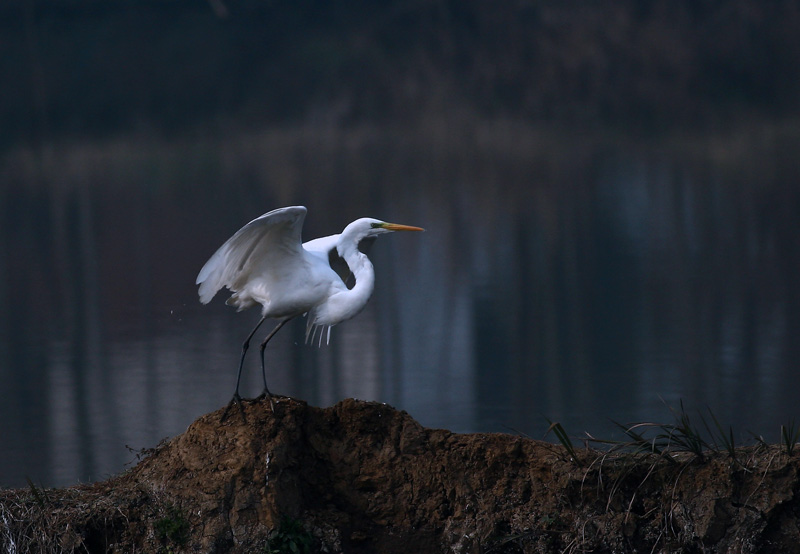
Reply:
x=265, y=263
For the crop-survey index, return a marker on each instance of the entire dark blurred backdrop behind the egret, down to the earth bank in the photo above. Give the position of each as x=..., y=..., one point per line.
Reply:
x=610, y=192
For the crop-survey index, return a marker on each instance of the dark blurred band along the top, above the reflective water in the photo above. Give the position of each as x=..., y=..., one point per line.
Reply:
x=643, y=63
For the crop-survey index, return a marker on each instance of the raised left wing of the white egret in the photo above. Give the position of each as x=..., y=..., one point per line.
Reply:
x=267, y=240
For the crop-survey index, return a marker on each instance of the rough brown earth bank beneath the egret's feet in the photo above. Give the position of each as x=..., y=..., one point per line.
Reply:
x=363, y=477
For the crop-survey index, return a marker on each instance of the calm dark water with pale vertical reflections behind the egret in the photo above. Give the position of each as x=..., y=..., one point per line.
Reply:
x=581, y=278
